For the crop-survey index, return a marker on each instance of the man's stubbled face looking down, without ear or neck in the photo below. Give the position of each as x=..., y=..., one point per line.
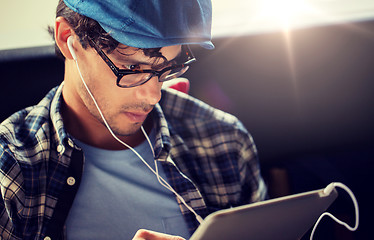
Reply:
x=125, y=109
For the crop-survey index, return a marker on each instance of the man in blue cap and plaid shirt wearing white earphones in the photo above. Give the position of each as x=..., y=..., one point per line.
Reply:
x=109, y=151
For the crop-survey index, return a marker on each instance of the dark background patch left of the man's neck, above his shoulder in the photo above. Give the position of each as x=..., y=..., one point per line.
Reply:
x=26, y=77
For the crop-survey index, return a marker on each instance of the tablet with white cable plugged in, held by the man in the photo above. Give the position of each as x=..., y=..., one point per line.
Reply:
x=285, y=218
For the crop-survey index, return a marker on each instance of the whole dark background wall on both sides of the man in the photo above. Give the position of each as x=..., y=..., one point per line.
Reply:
x=306, y=97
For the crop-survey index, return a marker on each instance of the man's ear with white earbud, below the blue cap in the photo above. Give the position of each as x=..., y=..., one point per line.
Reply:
x=63, y=31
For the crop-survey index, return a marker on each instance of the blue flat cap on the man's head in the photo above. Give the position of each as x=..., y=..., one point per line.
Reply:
x=151, y=23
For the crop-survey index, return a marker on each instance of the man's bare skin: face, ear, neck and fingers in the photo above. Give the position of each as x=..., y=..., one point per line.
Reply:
x=125, y=109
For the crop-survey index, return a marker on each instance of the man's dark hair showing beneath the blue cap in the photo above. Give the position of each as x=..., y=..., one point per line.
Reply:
x=87, y=28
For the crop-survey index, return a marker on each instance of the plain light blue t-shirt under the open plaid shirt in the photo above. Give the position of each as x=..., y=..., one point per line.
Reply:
x=119, y=195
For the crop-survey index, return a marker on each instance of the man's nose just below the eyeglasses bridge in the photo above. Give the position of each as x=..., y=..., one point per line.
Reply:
x=149, y=92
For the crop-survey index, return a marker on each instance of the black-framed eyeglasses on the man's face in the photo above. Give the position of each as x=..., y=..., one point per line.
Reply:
x=127, y=78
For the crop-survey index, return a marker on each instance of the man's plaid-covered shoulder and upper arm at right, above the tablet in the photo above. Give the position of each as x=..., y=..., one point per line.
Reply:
x=212, y=148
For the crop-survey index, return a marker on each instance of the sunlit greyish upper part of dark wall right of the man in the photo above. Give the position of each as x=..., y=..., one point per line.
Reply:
x=311, y=91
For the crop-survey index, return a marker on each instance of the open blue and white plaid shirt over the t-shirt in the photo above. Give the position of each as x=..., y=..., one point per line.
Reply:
x=208, y=156
